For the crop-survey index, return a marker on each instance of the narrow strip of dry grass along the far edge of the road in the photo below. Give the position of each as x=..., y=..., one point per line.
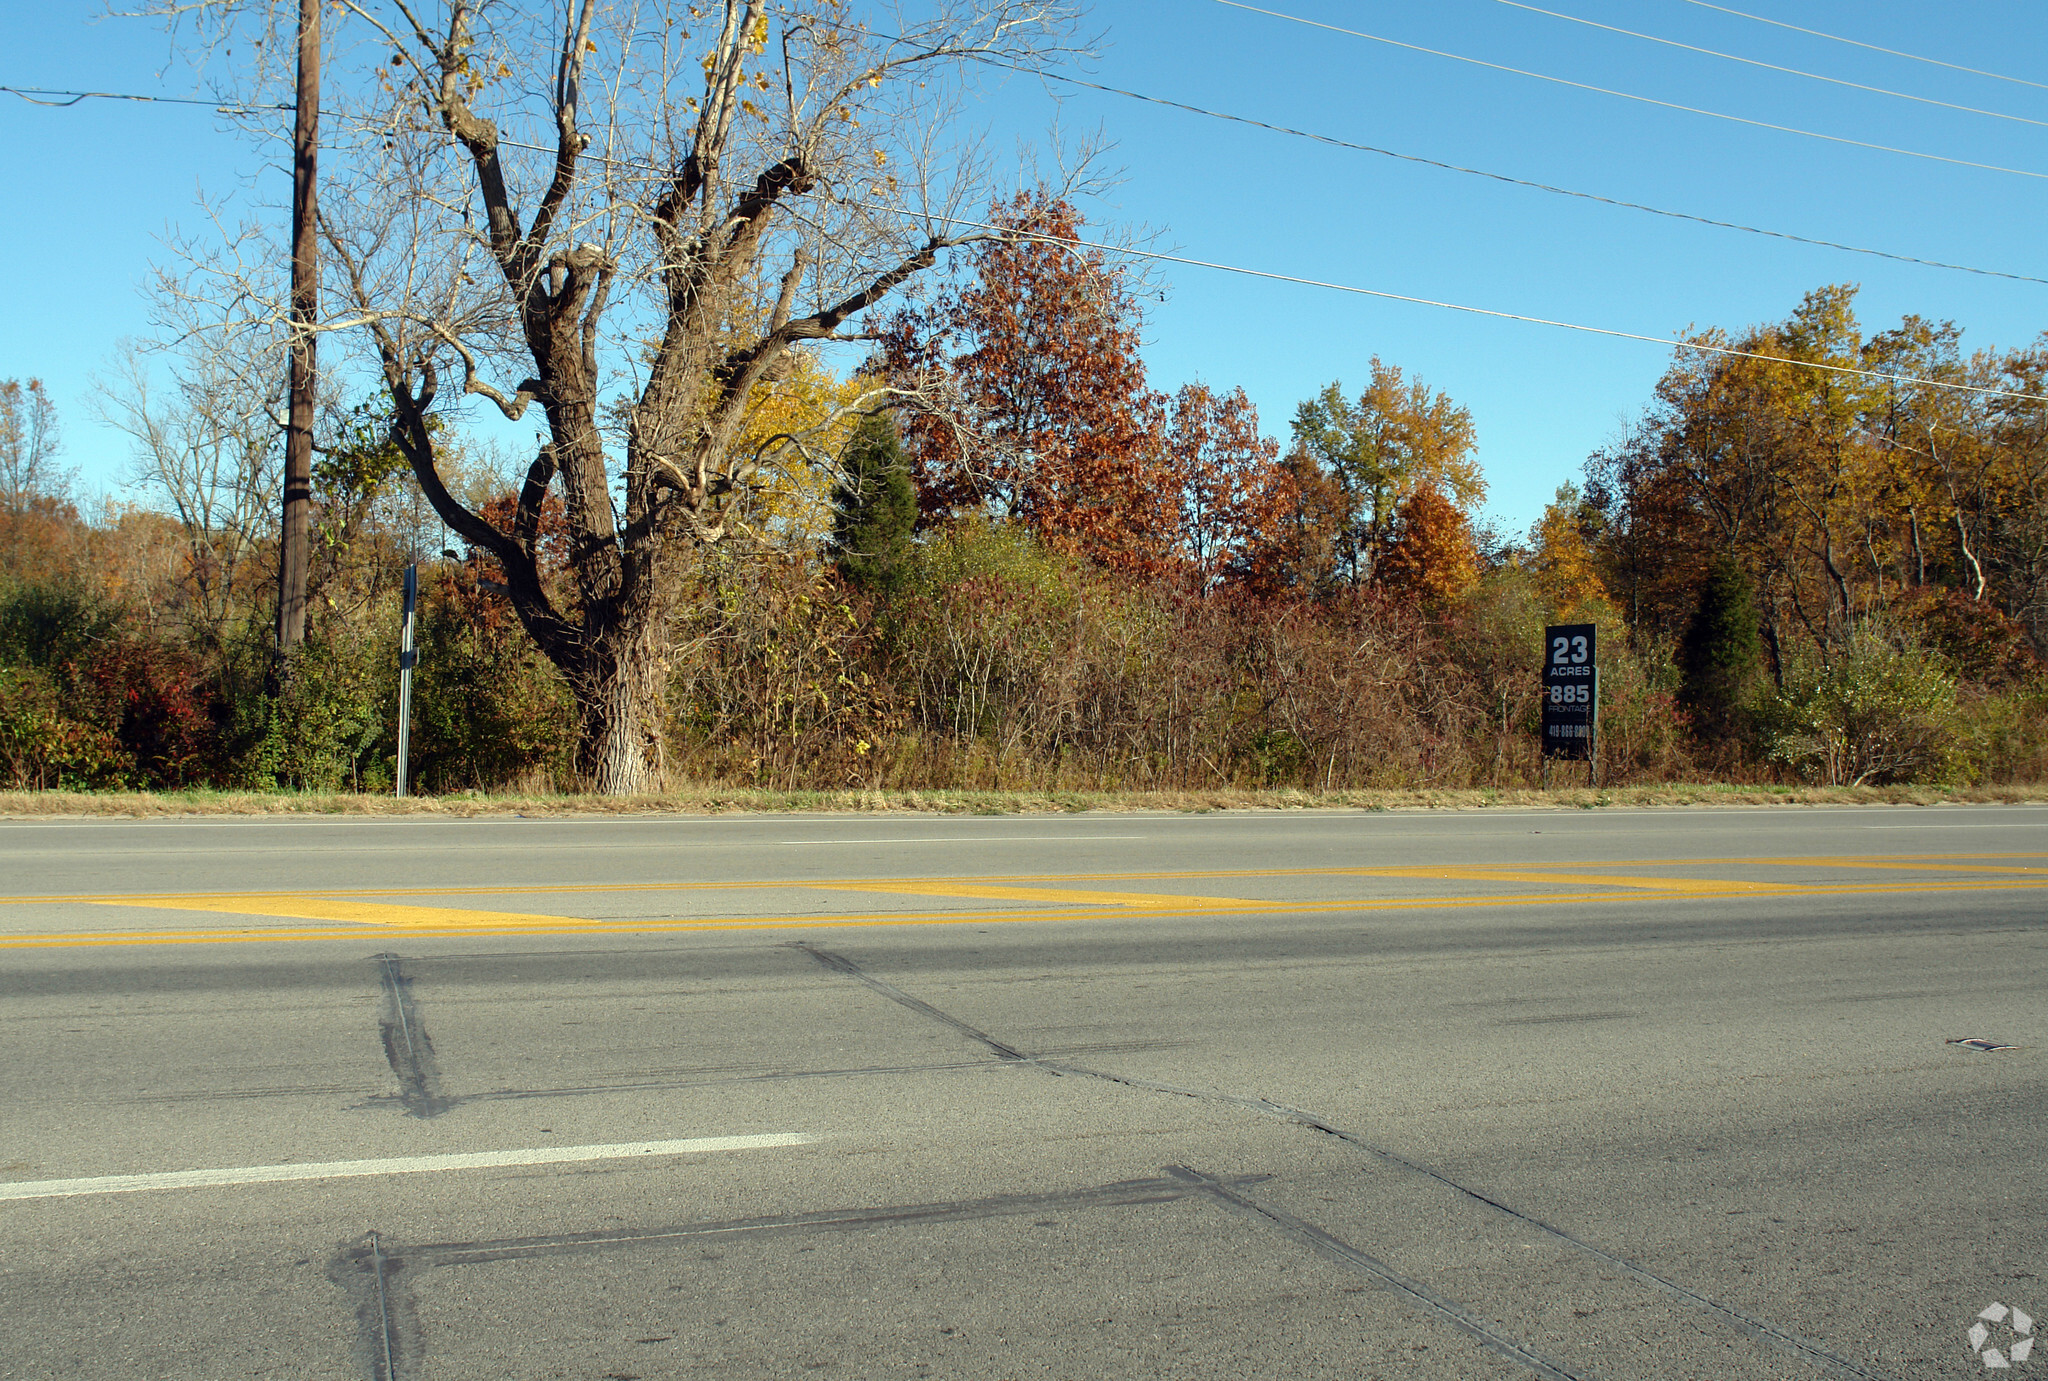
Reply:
x=722, y=800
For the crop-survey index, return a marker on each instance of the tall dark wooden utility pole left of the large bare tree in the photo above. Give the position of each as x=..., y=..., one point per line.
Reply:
x=294, y=554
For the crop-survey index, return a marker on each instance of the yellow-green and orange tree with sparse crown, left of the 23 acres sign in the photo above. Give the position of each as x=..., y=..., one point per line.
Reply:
x=1392, y=442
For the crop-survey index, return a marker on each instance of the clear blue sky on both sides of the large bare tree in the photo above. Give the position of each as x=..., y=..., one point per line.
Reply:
x=95, y=187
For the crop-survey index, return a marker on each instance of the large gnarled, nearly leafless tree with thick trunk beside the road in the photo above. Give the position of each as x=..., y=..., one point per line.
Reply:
x=626, y=218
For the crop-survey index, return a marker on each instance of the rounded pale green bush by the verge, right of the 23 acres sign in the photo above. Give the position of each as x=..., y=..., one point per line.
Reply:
x=1875, y=710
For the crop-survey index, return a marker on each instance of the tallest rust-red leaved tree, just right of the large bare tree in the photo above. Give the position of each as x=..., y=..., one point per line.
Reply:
x=1056, y=427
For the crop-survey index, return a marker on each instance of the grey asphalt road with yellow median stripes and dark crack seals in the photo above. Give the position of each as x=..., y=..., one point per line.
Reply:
x=1308, y=1095
